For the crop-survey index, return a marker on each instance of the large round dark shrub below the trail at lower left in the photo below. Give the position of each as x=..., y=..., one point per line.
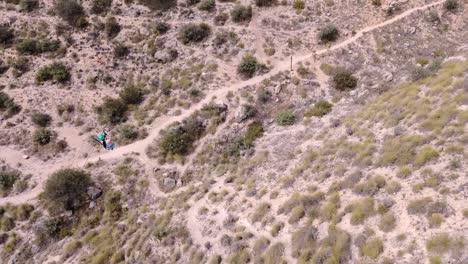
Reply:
x=67, y=188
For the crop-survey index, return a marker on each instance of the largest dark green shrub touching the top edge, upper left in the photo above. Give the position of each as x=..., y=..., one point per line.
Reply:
x=72, y=12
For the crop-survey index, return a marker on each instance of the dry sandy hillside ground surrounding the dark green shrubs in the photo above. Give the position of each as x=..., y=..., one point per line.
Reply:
x=381, y=178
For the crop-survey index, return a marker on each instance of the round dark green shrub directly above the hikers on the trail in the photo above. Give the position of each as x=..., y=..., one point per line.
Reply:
x=112, y=111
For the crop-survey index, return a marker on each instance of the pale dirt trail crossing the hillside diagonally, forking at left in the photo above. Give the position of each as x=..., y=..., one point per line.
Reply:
x=44, y=169
